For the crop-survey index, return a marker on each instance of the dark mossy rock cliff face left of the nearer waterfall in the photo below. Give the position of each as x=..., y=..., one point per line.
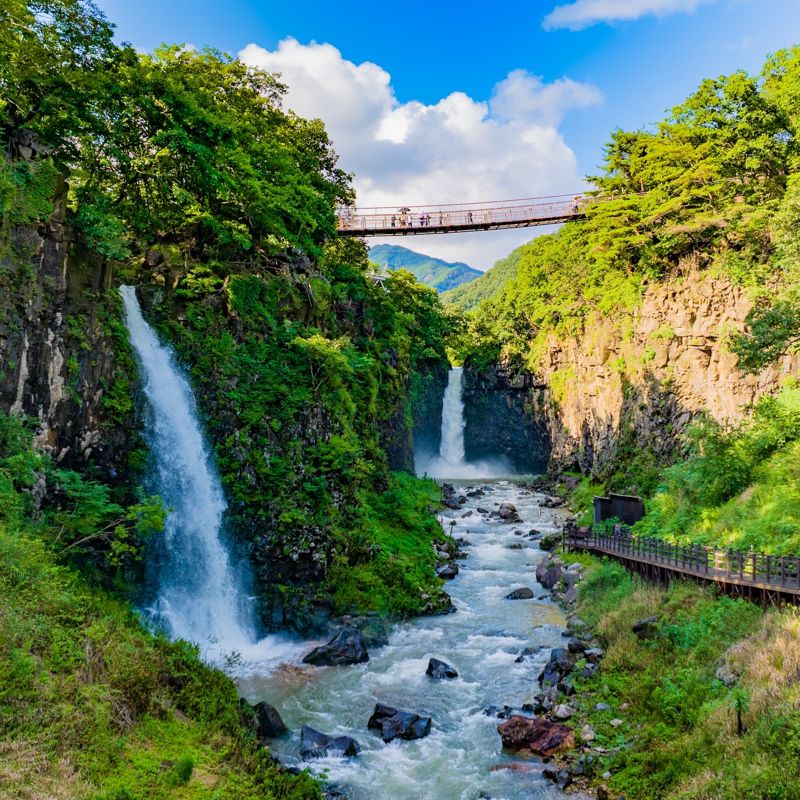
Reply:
x=64, y=358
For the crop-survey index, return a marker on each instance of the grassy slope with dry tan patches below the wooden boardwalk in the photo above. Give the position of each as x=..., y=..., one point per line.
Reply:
x=678, y=738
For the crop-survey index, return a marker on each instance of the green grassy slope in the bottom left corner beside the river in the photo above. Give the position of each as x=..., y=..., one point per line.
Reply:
x=93, y=706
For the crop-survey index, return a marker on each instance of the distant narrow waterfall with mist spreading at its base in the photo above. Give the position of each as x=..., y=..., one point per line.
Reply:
x=451, y=461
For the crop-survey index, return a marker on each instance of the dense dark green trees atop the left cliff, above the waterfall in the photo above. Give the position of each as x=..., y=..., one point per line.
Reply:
x=180, y=149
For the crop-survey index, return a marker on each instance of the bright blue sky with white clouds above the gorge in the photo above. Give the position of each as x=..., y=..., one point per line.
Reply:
x=622, y=73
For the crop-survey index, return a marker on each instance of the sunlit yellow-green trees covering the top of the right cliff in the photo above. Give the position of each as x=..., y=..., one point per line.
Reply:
x=715, y=177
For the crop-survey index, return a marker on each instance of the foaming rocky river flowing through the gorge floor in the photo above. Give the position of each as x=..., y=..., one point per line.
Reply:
x=462, y=758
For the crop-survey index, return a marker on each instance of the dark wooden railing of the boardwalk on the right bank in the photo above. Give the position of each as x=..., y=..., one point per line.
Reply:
x=697, y=560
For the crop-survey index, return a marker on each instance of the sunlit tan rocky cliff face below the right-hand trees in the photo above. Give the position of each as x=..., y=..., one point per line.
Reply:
x=650, y=378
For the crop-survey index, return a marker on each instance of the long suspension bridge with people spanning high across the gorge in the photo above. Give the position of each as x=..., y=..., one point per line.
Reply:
x=458, y=217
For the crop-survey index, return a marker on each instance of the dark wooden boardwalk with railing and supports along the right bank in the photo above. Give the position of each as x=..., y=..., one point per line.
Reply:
x=767, y=579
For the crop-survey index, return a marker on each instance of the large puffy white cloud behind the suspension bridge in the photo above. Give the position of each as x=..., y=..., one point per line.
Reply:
x=458, y=149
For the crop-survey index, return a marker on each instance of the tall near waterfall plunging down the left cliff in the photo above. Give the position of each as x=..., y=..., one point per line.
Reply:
x=201, y=596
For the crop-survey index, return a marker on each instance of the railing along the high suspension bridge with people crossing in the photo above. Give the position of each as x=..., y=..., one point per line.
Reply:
x=465, y=215
